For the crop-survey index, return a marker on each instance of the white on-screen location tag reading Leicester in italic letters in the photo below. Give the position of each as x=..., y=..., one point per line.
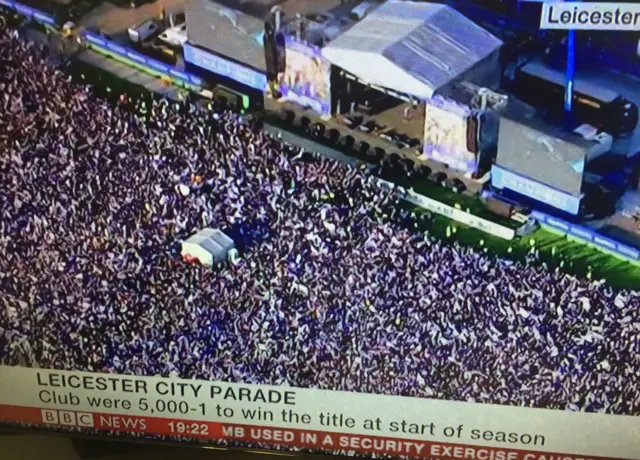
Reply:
x=590, y=16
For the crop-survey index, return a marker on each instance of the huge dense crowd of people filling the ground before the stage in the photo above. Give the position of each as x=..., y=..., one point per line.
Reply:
x=330, y=291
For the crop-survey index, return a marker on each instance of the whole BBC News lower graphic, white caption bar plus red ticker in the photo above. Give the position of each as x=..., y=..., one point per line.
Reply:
x=309, y=418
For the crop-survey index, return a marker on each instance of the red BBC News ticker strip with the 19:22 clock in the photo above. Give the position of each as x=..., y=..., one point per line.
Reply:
x=310, y=439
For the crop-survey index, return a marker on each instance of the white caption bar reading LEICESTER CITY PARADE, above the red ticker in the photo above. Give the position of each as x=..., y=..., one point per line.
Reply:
x=419, y=419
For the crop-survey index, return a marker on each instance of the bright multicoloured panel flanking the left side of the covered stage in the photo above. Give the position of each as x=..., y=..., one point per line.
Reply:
x=306, y=78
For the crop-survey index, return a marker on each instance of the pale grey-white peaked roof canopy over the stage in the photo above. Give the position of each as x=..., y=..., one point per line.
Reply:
x=411, y=47
